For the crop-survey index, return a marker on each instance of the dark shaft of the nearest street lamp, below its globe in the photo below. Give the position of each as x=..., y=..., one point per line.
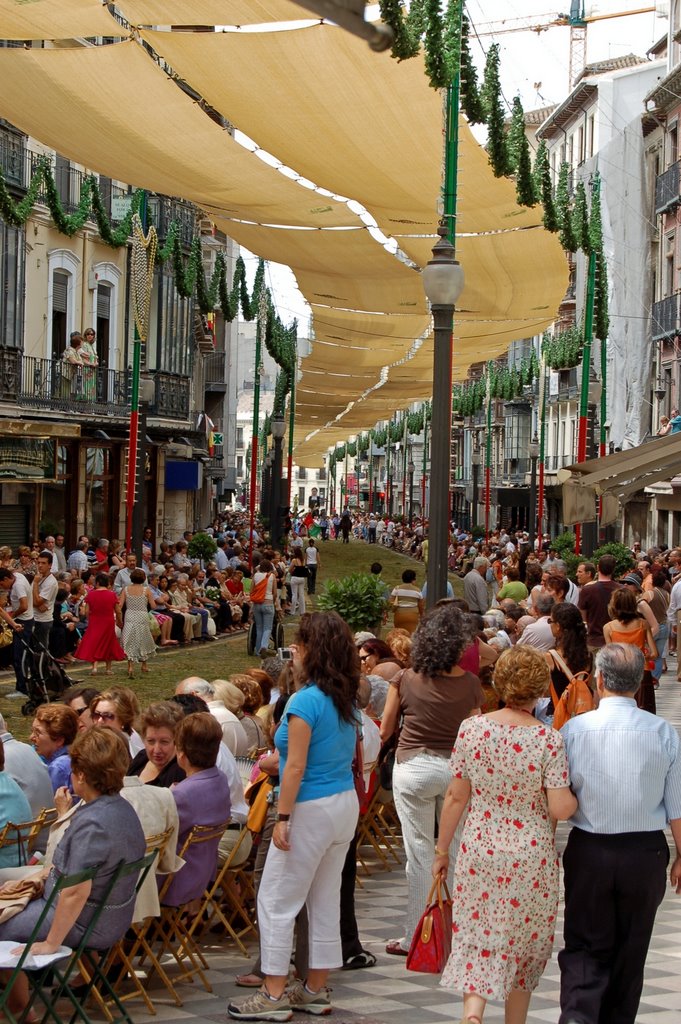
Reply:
x=441, y=432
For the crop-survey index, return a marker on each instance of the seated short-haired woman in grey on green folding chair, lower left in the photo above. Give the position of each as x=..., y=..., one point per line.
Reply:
x=99, y=762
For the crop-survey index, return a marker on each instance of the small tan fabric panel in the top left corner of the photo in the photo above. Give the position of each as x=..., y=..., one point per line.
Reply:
x=56, y=20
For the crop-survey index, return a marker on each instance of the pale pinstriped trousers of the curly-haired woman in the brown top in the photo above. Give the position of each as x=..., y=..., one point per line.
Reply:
x=418, y=789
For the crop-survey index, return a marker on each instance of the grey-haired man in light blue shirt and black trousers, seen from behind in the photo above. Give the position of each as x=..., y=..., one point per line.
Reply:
x=625, y=767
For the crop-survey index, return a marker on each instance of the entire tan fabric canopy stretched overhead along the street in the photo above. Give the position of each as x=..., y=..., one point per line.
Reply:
x=351, y=124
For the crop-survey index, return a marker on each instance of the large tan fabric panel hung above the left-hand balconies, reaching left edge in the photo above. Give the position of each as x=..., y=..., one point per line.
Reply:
x=86, y=103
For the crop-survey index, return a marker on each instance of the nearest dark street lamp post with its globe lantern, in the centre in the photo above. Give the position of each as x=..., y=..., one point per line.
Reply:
x=443, y=282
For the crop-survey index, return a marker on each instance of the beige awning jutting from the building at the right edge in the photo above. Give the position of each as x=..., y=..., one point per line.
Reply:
x=617, y=478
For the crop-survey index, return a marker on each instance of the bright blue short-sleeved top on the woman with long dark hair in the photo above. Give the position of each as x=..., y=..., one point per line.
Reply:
x=329, y=767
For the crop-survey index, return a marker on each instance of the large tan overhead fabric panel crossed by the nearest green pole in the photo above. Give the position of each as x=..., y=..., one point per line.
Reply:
x=367, y=130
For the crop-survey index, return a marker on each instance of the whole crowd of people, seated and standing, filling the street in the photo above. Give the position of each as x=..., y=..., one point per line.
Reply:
x=453, y=714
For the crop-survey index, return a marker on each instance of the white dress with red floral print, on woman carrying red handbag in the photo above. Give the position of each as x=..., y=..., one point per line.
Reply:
x=506, y=879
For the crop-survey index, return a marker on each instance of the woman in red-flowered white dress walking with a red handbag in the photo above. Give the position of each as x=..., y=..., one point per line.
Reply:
x=515, y=772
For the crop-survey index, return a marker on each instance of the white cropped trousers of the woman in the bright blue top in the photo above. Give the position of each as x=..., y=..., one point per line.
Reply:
x=310, y=873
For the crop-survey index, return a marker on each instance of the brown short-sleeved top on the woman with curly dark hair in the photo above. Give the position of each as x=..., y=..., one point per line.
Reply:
x=434, y=708
